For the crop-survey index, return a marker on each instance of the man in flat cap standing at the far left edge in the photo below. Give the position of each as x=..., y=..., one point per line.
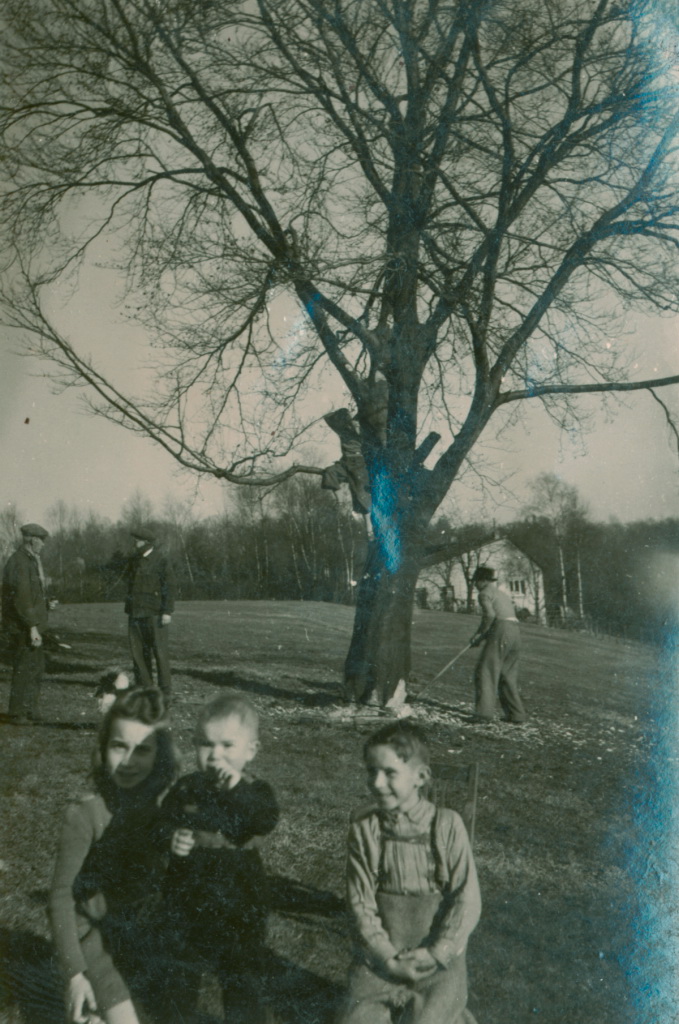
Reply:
x=25, y=611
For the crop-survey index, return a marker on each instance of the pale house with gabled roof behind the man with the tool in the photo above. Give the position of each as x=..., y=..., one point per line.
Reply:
x=445, y=582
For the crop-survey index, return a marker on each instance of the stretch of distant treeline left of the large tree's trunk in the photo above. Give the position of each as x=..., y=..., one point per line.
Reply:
x=295, y=543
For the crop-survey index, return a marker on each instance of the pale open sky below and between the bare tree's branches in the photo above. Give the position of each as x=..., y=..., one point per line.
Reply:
x=624, y=465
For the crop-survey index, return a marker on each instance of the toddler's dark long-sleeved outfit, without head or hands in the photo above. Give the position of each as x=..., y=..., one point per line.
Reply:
x=216, y=898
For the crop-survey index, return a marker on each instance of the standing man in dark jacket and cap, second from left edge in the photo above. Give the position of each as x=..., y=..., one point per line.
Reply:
x=149, y=606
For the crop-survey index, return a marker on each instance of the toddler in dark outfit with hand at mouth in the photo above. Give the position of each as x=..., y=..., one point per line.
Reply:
x=216, y=904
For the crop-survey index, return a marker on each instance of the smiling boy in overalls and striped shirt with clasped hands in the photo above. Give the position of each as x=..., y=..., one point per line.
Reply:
x=412, y=891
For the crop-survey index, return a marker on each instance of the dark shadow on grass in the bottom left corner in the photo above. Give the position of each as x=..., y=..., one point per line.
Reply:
x=30, y=983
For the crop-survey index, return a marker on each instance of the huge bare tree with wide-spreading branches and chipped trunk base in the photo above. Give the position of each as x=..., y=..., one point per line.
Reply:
x=458, y=195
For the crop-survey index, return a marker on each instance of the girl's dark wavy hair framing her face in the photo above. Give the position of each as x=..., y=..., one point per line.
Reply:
x=144, y=705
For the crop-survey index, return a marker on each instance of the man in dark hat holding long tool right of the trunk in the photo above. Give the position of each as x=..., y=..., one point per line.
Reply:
x=497, y=669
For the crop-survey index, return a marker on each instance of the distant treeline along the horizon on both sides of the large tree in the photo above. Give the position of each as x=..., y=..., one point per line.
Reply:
x=302, y=543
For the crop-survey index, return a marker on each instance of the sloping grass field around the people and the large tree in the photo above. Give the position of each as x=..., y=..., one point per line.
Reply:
x=559, y=820
